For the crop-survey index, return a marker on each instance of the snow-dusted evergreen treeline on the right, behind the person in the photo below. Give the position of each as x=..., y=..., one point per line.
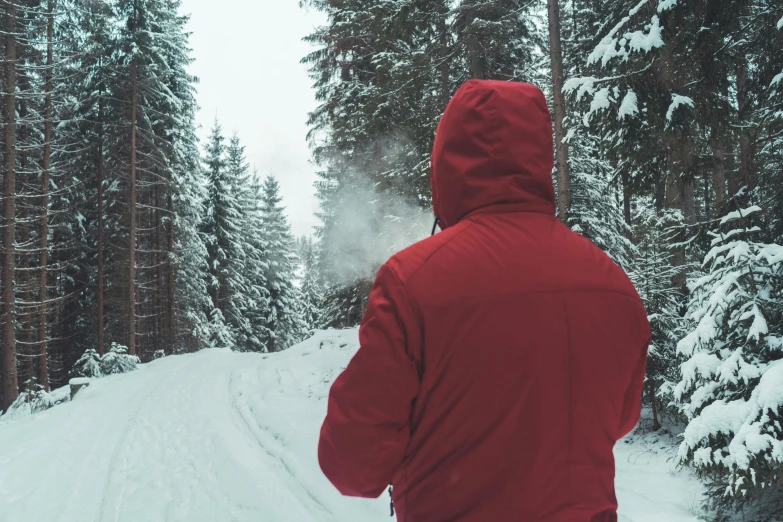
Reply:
x=668, y=120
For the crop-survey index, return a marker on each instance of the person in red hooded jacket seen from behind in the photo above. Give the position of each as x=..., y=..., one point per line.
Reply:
x=500, y=359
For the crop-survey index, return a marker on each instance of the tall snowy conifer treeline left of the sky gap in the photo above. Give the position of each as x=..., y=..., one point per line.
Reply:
x=115, y=231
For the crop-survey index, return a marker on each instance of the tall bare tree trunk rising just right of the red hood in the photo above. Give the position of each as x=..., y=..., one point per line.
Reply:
x=561, y=149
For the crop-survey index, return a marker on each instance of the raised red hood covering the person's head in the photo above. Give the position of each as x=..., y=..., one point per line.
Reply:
x=493, y=147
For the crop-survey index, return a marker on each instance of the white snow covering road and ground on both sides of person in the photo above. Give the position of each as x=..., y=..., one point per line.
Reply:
x=221, y=436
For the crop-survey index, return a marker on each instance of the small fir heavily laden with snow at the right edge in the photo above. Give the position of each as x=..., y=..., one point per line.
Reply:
x=731, y=387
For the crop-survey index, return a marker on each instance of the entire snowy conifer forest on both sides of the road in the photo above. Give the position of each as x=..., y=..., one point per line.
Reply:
x=124, y=235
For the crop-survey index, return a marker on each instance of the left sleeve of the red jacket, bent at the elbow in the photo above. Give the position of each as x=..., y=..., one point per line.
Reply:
x=367, y=426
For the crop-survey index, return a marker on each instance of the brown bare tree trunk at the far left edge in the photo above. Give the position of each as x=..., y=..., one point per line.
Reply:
x=10, y=378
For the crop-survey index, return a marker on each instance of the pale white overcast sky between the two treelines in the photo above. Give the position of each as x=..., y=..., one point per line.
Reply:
x=247, y=56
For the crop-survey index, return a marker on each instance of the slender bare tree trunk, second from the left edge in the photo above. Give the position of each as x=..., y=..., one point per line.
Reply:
x=43, y=366
